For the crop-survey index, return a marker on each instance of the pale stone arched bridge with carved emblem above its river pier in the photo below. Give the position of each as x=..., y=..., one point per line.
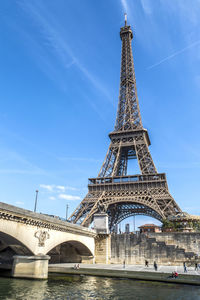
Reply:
x=35, y=238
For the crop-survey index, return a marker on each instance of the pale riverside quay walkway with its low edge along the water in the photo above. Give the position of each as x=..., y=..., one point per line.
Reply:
x=137, y=272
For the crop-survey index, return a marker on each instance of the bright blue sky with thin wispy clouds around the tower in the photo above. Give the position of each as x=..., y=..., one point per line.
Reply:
x=59, y=86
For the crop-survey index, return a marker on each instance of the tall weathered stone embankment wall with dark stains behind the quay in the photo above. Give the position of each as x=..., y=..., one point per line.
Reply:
x=164, y=248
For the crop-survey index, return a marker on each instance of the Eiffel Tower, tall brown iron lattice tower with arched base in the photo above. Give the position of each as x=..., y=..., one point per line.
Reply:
x=113, y=191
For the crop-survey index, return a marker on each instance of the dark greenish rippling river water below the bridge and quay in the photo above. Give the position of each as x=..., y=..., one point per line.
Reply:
x=85, y=287
